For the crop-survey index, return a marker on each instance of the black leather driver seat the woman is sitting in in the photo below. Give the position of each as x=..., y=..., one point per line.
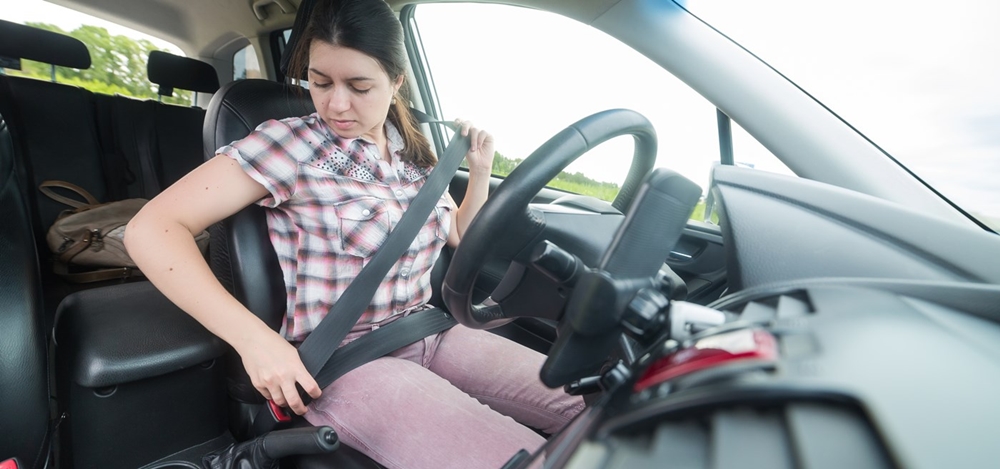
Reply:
x=241, y=254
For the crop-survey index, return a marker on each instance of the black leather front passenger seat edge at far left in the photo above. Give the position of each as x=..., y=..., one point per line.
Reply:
x=23, y=380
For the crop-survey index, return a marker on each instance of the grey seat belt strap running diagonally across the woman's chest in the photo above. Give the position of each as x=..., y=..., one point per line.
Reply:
x=323, y=341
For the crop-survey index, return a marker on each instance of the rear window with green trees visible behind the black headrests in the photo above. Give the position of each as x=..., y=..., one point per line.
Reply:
x=118, y=55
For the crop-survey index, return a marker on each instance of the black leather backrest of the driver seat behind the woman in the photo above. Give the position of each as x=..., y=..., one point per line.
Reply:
x=241, y=254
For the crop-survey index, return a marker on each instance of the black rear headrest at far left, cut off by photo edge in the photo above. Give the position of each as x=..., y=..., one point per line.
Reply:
x=18, y=41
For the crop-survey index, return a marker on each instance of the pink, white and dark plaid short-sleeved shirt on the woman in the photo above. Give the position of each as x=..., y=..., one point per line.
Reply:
x=332, y=203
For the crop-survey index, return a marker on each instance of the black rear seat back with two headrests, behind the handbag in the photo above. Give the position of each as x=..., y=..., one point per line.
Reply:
x=115, y=147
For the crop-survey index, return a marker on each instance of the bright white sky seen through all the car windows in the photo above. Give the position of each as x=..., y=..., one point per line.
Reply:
x=919, y=78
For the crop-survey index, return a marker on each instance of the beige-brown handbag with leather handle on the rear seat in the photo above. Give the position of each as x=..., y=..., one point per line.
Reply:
x=88, y=241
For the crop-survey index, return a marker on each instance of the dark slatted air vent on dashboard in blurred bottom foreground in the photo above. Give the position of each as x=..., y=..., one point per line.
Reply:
x=796, y=434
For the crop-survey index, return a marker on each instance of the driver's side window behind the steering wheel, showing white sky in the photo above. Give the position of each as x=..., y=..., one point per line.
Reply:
x=528, y=74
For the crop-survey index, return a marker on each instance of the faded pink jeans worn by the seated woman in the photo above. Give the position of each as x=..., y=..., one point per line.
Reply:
x=463, y=399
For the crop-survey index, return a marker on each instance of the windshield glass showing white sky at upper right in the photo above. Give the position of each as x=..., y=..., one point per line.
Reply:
x=920, y=79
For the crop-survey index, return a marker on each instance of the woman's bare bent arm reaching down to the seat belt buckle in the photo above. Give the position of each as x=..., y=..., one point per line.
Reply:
x=160, y=239
